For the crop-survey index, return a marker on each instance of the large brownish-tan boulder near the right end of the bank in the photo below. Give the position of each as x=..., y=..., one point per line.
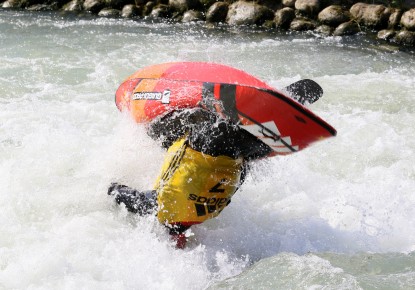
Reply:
x=375, y=16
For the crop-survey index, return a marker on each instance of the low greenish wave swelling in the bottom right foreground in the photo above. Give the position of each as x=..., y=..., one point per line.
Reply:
x=326, y=271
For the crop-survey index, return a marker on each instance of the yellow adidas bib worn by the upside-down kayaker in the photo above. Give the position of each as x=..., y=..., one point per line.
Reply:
x=193, y=186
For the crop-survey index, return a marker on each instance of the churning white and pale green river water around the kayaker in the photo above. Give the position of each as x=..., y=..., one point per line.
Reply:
x=338, y=215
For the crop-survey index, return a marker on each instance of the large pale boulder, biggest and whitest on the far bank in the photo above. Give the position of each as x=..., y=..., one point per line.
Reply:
x=248, y=13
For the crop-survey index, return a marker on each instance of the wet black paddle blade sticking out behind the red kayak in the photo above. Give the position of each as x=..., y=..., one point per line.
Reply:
x=305, y=91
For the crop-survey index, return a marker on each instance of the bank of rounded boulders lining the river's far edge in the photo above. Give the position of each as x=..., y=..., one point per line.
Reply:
x=393, y=20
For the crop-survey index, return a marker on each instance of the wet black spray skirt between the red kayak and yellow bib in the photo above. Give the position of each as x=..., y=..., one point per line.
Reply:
x=207, y=133
